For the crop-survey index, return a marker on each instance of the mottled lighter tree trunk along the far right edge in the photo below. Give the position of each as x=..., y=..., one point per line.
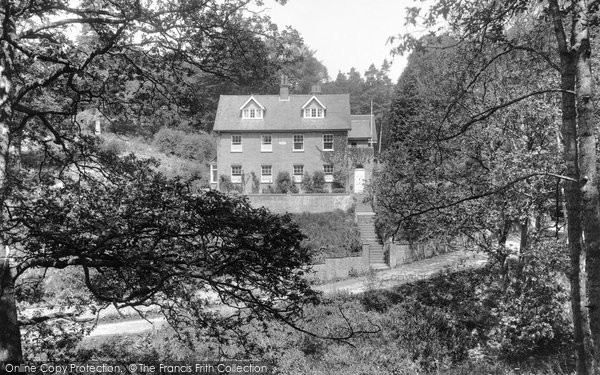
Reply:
x=588, y=172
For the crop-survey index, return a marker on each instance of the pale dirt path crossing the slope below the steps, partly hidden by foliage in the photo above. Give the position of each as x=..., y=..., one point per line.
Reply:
x=379, y=280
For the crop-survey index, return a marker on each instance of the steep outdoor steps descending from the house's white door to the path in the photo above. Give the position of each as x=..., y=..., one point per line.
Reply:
x=365, y=218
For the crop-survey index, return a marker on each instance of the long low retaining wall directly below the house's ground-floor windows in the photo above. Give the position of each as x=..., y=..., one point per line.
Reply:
x=298, y=203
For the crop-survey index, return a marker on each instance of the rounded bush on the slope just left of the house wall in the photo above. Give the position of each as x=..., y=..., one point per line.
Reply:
x=188, y=145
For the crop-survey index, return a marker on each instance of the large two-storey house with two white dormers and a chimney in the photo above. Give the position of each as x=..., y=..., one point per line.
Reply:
x=259, y=136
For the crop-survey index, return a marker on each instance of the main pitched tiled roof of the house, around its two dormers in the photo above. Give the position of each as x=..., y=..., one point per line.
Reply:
x=283, y=115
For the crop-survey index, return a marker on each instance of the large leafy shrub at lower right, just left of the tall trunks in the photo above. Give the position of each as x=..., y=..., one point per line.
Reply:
x=530, y=309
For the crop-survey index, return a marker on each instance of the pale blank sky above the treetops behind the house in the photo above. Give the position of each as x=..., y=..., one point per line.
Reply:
x=347, y=33
